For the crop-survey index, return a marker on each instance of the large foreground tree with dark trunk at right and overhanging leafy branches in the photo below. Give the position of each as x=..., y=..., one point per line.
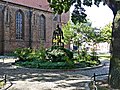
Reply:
x=78, y=15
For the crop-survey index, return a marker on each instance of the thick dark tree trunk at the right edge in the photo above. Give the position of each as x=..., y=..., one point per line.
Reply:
x=114, y=75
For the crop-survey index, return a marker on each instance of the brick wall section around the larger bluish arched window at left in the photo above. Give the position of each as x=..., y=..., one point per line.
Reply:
x=10, y=43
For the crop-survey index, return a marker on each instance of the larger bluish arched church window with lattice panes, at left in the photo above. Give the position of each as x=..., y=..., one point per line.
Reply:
x=19, y=25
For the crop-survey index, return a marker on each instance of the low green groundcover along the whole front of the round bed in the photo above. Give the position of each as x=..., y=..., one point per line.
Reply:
x=56, y=65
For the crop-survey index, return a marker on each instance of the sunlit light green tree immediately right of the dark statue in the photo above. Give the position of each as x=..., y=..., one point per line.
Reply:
x=78, y=33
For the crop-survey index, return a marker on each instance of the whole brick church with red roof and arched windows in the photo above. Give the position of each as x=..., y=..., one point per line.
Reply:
x=27, y=23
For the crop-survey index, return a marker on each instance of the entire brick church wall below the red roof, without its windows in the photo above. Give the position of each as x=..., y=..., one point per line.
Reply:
x=10, y=42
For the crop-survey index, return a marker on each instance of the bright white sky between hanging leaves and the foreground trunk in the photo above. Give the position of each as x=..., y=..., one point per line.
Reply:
x=100, y=16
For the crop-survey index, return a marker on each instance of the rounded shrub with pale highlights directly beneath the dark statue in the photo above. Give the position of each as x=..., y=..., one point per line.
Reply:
x=59, y=54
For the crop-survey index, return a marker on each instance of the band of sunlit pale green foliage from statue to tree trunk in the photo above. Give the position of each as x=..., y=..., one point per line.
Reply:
x=84, y=32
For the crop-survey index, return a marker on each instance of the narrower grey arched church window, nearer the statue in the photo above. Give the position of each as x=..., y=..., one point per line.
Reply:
x=42, y=27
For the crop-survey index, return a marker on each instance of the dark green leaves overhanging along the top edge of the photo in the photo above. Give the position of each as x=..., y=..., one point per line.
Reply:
x=78, y=15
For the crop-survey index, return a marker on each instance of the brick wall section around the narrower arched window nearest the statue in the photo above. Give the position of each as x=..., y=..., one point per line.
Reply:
x=37, y=42
